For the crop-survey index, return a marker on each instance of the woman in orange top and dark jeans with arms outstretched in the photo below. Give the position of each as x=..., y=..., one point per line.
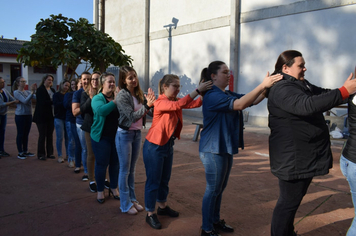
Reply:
x=166, y=126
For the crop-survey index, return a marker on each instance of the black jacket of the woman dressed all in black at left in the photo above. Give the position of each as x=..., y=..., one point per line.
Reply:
x=43, y=110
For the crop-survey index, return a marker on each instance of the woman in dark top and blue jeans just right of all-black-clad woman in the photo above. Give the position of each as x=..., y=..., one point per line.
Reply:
x=59, y=119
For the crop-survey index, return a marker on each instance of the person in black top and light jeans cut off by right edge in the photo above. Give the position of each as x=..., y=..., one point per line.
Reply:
x=348, y=159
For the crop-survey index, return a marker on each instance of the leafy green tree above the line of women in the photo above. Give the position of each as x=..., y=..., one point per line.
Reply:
x=62, y=41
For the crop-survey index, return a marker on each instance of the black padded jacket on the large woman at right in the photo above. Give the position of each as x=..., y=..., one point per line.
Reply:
x=299, y=143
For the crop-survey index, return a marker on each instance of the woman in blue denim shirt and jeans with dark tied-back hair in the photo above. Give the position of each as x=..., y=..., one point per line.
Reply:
x=221, y=138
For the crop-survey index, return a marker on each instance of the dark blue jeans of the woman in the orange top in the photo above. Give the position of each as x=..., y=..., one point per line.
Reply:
x=158, y=163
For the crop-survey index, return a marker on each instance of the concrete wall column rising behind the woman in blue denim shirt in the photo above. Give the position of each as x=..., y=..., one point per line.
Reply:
x=235, y=39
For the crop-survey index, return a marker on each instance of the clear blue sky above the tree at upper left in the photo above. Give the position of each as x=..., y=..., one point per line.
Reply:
x=18, y=18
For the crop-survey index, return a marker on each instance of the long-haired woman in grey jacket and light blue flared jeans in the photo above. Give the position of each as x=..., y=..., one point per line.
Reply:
x=132, y=109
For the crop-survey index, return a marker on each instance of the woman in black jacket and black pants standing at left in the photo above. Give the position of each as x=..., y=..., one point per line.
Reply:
x=43, y=117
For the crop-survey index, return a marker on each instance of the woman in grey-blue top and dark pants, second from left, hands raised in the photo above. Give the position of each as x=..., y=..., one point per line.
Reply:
x=23, y=115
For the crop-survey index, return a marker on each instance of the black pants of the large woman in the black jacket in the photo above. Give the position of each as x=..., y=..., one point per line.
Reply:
x=291, y=194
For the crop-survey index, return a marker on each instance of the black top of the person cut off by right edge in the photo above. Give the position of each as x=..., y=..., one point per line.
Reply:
x=349, y=151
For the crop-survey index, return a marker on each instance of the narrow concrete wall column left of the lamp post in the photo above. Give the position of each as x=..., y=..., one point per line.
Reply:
x=146, y=46
